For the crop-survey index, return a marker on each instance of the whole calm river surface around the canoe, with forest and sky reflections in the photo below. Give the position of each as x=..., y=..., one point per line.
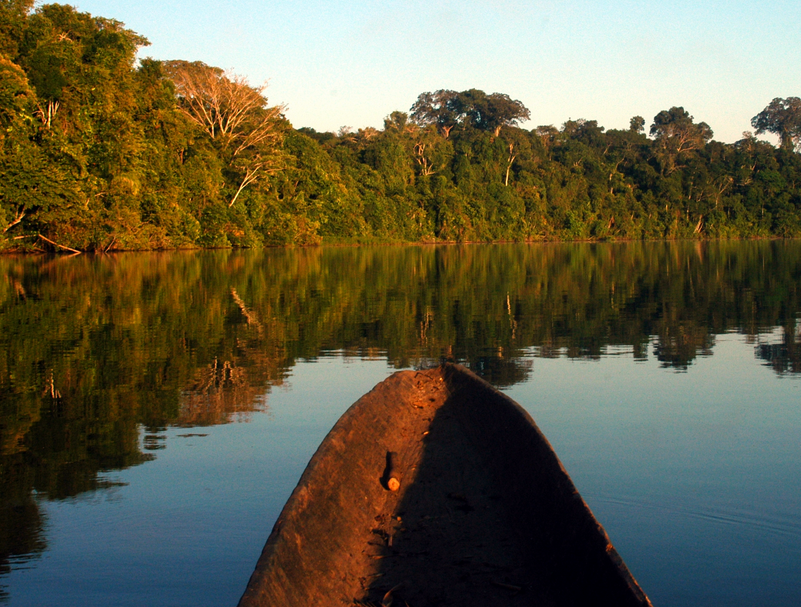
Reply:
x=156, y=410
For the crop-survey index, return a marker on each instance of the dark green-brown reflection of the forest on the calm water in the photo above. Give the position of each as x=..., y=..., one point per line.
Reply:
x=95, y=351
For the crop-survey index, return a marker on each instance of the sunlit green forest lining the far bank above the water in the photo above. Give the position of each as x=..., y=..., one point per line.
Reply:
x=102, y=152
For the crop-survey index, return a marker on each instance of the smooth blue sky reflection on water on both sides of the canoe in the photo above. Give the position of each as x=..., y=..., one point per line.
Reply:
x=694, y=476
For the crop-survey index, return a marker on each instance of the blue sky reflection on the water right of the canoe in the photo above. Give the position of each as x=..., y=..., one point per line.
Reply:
x=694, y=475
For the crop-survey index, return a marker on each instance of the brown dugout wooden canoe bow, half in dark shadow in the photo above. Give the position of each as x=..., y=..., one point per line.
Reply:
x=485, y=513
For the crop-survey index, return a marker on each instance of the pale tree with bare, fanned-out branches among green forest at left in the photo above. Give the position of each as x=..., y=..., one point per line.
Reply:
x=234, y=114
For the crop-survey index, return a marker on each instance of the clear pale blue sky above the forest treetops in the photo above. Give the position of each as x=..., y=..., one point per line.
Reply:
x=351, y=63
